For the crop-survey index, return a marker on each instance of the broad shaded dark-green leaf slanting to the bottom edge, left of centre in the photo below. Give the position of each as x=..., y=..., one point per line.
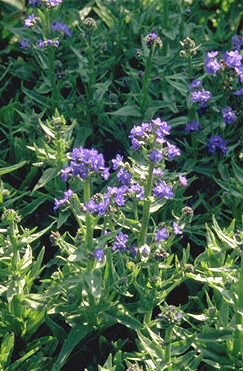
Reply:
x=74, y=337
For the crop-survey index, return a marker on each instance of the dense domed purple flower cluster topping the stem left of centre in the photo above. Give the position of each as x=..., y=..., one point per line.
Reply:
x=84, y=162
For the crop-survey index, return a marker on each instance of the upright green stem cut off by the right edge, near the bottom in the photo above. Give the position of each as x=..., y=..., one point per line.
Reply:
x=238, y=338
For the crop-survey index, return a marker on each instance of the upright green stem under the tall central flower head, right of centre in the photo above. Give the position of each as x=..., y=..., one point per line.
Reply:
x=146, y=206
